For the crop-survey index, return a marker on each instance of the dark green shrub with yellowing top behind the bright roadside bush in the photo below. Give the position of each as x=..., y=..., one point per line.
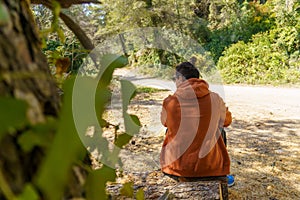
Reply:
x=245, y=20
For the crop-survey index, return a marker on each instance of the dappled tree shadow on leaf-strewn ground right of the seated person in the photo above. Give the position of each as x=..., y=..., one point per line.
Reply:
x=265, y=159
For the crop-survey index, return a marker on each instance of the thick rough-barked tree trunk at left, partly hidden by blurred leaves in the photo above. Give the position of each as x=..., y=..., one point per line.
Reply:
x=24, y=74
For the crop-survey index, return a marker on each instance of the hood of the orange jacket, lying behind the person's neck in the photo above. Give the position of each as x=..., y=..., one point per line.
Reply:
x=192, y=88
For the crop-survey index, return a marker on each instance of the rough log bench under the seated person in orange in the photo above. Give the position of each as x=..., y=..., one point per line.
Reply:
x=157, y=185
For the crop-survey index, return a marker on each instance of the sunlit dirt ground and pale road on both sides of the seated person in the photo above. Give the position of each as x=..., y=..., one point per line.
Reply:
x=263, y=140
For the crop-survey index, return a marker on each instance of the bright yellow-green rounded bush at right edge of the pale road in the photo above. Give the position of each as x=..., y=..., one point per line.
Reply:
x=270, y=58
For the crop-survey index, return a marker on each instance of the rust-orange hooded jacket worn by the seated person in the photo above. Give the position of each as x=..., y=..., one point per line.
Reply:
x=193, y=146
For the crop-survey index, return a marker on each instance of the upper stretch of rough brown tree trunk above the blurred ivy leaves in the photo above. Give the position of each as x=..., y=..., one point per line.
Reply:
x=23, y=67
